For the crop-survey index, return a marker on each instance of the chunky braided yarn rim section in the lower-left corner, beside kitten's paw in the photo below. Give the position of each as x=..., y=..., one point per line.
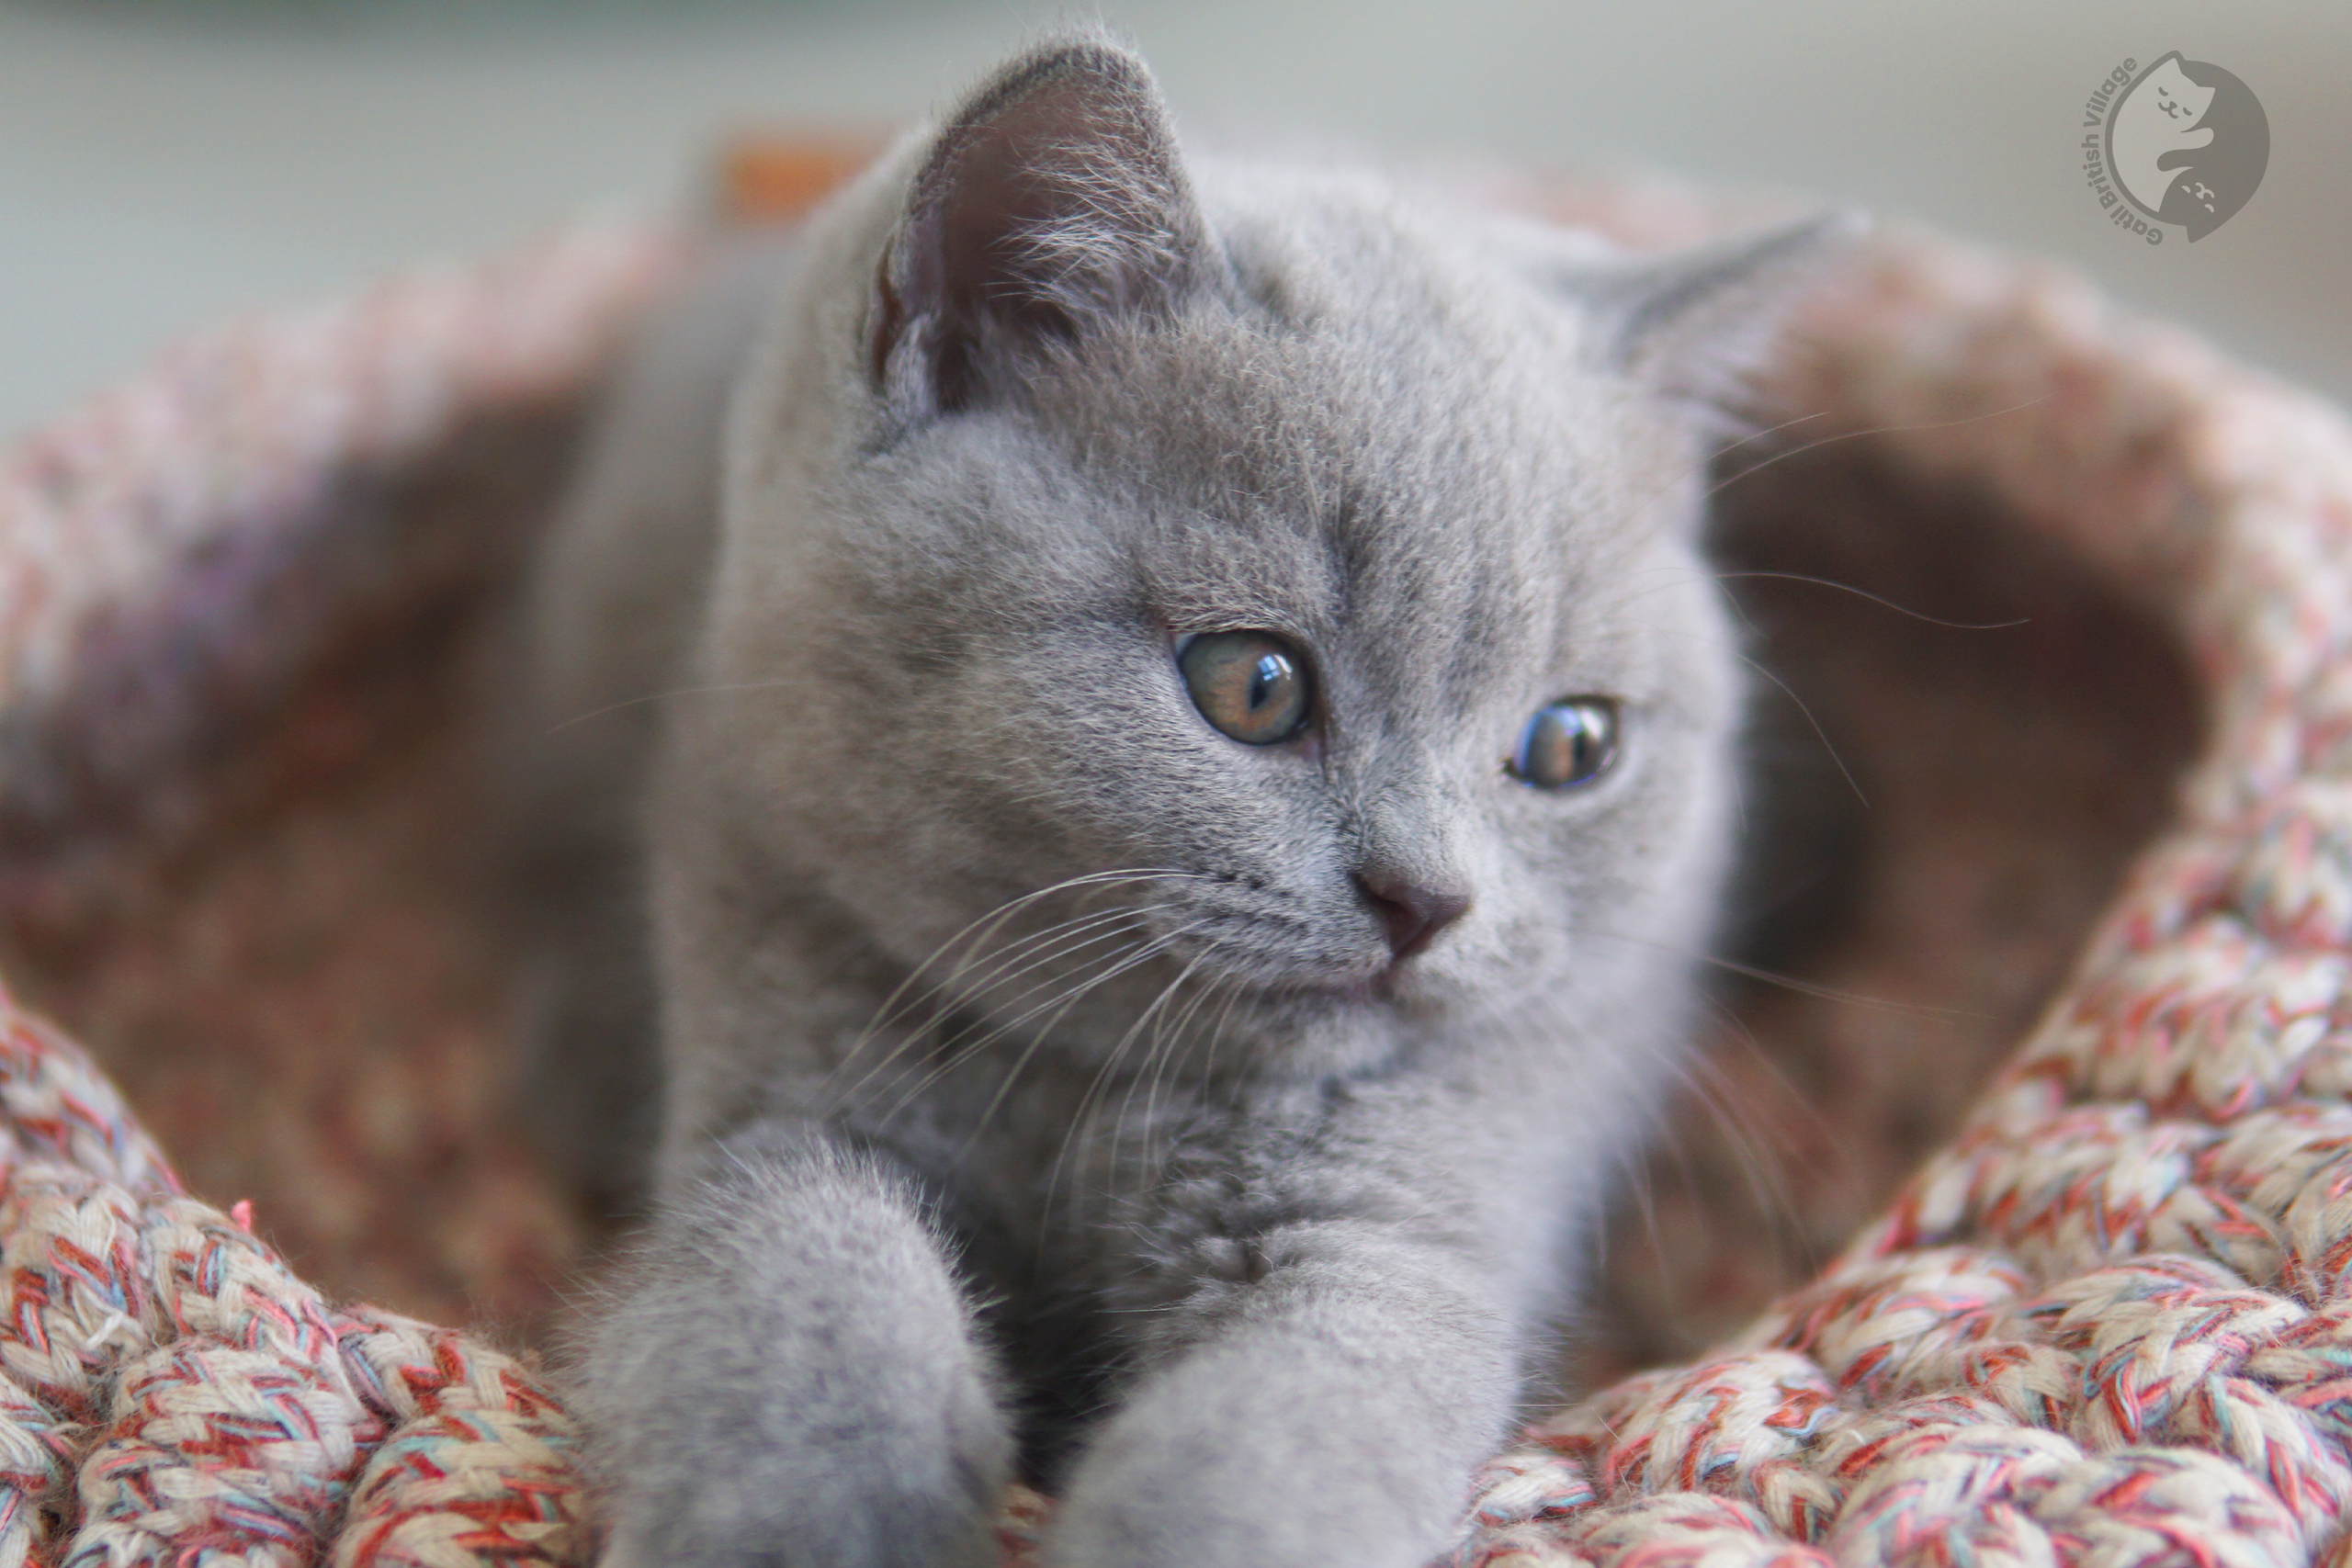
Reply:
x=171, y=1393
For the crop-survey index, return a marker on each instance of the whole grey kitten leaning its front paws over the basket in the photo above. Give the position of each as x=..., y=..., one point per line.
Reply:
x=1205, y=756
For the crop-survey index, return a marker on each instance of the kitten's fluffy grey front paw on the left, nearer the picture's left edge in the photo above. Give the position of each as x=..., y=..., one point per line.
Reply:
x=791, y=1379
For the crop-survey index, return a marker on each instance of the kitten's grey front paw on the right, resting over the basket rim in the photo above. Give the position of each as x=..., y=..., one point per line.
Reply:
x=1328, y=1412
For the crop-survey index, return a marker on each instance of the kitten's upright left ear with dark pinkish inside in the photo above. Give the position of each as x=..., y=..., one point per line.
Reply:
x=1048, y=203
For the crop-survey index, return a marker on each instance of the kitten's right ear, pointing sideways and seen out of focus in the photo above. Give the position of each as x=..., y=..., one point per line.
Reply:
x=1695, y=323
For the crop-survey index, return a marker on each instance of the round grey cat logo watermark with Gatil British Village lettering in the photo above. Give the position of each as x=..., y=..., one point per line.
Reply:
x=2179, y=142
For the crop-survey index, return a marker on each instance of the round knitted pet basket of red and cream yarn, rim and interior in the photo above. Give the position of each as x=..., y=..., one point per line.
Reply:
x=2106, y=1320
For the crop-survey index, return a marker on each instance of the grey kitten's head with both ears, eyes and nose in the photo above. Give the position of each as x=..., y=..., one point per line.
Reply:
x=1274, y=596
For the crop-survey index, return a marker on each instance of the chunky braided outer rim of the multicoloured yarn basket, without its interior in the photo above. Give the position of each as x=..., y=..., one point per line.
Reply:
x=2109, y=1325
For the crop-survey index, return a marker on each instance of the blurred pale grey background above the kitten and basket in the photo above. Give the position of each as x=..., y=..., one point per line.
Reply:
x=173, y=163
